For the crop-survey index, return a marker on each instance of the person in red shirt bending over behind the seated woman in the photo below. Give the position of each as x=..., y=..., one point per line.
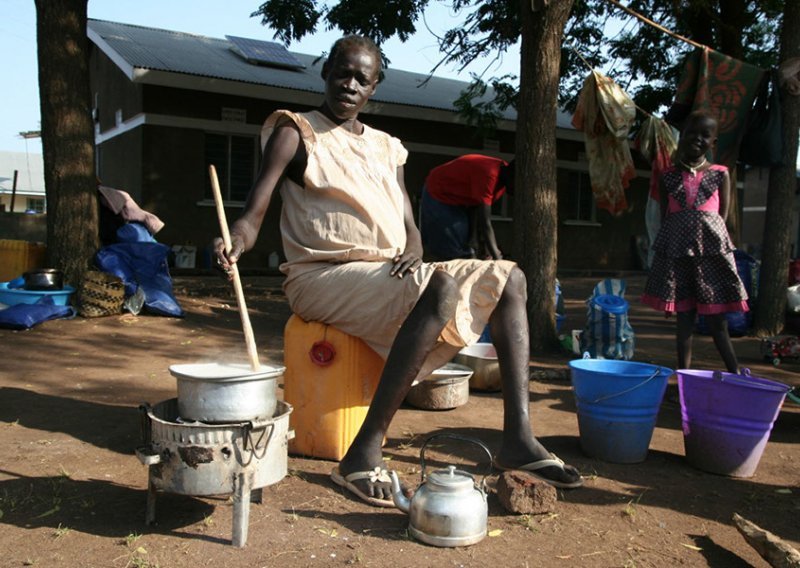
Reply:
x=457, y=199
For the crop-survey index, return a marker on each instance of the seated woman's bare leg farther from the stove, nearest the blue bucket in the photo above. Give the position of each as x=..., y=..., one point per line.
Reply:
x=510, y=335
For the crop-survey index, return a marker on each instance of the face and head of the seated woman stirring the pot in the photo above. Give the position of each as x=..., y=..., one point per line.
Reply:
x=350, y=81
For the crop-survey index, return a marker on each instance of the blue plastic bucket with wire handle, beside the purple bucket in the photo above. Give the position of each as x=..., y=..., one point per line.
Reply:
x=618, y=404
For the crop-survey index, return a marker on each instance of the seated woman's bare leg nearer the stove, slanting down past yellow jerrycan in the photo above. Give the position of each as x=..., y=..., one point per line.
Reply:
x=414, y=341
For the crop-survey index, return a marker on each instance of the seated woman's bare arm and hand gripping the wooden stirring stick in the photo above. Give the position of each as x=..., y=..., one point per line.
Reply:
x=283, y=150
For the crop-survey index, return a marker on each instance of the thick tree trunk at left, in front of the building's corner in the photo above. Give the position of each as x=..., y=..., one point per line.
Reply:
x=67, y=135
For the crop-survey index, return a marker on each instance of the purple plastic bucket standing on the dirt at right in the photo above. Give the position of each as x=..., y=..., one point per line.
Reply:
x=727, y=419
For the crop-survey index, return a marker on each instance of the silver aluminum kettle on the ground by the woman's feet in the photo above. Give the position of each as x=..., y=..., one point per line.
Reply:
x=449, y=508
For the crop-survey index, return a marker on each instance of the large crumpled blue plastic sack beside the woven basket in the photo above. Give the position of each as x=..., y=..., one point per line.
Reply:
x=142, y=266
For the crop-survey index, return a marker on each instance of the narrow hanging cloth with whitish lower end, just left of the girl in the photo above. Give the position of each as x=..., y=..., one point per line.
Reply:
x=657, y=142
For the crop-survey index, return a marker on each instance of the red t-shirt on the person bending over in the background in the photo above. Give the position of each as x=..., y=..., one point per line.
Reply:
x=468, y=180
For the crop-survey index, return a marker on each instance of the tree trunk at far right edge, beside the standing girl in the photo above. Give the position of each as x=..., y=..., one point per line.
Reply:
x=771, y=303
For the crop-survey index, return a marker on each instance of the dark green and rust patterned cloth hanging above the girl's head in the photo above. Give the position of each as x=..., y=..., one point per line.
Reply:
x=722, y=85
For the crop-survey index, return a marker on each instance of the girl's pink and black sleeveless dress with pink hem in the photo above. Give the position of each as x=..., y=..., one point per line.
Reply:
x=694, y=267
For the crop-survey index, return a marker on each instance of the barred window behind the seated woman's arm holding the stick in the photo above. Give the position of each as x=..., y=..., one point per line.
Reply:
x=235, y=159
